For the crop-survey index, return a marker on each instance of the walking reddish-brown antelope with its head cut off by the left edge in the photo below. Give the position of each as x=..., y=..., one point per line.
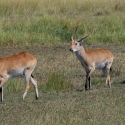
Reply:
x=15, y=65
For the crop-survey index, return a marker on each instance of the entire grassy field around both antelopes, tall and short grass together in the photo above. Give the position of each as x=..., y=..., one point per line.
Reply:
x=44, y=28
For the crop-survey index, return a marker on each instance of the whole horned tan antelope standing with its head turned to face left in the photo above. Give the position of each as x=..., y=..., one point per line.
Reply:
x=92, y=59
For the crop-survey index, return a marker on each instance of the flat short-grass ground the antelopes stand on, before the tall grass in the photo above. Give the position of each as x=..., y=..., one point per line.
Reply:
x=99, y=106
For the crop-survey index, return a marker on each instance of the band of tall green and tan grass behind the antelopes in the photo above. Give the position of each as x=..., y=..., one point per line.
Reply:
x=29, y=22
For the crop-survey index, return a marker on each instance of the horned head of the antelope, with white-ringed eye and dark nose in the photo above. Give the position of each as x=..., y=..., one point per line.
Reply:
x=77, y=44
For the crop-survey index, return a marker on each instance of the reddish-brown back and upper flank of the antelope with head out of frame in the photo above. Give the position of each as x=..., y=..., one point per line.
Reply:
x=18, y=60
